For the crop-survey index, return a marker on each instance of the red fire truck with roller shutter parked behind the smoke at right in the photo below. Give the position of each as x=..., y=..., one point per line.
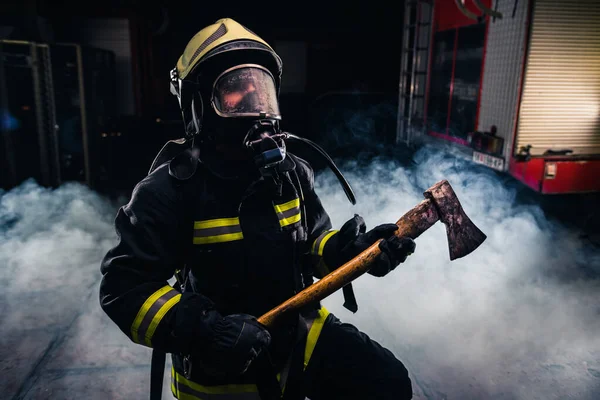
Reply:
x=515, y=83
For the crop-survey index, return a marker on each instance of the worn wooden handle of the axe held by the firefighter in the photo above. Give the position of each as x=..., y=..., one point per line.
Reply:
x=412, y=224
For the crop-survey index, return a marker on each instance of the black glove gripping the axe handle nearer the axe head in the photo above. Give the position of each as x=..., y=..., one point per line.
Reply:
x=394, y=249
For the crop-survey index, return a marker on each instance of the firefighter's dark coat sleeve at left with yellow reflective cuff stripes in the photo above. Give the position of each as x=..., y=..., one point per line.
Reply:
x=134, y=291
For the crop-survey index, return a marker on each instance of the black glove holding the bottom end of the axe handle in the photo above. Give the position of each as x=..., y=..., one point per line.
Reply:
x=235, y=342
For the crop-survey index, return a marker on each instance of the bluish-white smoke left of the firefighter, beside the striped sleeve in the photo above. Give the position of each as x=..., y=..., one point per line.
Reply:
x=55, y=341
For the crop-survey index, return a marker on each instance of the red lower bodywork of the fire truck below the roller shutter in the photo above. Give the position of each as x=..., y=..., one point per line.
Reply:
x=570, y=176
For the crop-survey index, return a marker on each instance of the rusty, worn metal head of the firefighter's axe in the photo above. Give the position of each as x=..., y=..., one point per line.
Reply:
x=463, y=235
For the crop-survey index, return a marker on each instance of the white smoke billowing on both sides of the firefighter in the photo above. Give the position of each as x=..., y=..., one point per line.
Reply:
x=516, y=319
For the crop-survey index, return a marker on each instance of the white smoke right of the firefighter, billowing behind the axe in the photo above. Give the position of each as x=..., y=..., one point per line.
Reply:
x=519, y=318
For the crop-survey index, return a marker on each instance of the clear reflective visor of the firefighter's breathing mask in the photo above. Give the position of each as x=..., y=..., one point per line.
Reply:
x=246, y=91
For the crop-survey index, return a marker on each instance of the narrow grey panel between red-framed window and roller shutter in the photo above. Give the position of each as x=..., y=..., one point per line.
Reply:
x=502, y=72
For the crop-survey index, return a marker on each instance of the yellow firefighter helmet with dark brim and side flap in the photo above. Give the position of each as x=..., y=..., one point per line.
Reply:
x=212, y=50
